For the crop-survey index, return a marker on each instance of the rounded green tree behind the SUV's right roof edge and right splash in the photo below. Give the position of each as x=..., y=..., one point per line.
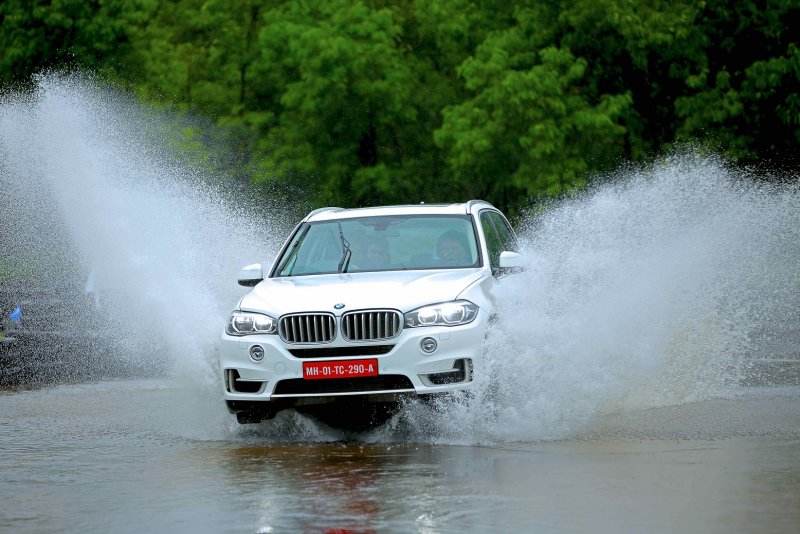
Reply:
x=535, y=123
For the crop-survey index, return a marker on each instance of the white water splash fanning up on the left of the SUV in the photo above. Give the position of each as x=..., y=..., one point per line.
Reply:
x=92, y=188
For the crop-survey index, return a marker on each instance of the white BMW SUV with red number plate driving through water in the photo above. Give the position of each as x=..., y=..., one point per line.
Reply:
x=364, y=307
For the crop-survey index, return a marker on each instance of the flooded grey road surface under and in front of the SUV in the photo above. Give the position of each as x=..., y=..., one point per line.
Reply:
x=134, y=456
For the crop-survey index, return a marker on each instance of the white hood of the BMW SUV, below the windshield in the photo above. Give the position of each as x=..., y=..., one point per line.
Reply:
x=402, y=290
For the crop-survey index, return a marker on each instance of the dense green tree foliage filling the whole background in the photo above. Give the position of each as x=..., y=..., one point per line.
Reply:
x=356, y=102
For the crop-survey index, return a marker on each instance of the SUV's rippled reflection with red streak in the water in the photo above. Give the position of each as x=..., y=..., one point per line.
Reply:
x=332, y=487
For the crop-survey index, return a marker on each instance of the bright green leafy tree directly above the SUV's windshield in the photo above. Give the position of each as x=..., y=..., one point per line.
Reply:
x=342, y=93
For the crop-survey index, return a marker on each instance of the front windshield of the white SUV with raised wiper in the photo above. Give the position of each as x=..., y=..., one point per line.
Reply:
x=397, y=242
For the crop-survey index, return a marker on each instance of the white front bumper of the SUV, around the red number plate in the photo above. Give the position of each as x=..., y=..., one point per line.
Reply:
x=404, y=368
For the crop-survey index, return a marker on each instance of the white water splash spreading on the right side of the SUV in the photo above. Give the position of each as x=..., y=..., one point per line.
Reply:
x=665, y=285
